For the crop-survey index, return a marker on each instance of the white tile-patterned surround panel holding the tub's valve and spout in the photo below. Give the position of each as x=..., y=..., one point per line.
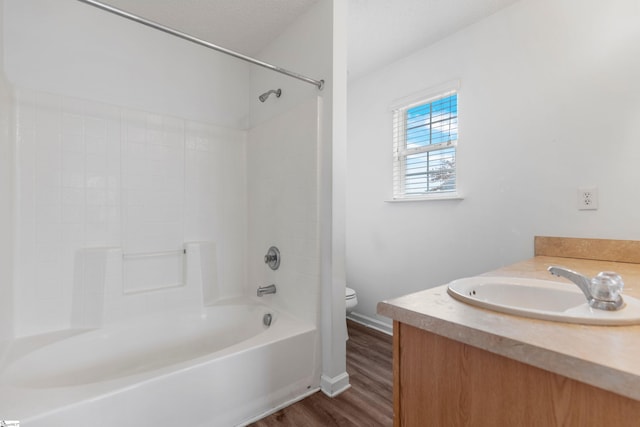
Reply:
x=282, y=189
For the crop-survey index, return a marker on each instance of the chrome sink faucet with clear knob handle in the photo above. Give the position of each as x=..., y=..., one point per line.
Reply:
x=602, y=292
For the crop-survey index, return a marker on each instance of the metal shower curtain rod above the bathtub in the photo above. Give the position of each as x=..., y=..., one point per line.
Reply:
x=148, y=23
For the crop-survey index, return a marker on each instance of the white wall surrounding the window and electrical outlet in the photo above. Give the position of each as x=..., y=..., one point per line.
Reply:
x=549, y=101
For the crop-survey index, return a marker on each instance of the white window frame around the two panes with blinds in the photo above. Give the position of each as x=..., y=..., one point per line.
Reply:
x=400, y=151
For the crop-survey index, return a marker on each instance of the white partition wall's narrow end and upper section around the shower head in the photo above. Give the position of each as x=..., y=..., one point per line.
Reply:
x=310, y=46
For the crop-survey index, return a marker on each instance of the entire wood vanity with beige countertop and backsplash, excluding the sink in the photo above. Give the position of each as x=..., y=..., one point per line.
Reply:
x=459, y=365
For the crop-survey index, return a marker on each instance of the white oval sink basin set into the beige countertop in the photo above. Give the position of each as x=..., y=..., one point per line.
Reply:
x=540, y=299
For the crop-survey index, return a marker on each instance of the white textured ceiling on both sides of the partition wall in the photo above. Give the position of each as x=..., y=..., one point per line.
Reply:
x=379, y=32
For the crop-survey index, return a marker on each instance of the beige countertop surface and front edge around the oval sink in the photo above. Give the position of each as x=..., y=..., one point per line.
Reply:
x=607, y=357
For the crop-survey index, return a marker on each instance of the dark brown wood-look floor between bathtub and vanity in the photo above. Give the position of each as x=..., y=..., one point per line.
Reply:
x=369, y=401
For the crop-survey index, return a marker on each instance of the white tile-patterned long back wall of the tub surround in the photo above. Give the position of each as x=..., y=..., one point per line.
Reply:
x=96, y=175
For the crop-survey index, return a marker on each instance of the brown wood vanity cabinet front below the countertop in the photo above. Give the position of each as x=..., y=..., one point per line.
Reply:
x=442, y=382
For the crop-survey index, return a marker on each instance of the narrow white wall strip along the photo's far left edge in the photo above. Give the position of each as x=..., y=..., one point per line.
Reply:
x=6, y=202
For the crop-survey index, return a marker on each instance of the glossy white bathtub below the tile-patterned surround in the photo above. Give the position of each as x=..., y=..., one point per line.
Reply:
x=215, y=366
